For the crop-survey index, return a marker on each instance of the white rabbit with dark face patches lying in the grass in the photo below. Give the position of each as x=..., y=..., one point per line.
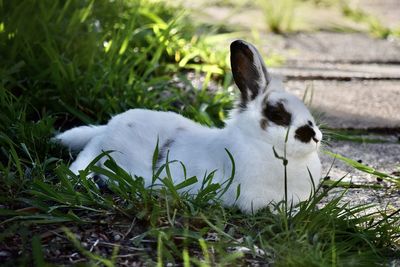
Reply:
x=264, y=117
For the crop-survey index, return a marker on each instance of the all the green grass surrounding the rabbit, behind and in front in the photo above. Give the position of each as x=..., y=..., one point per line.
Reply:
x=67, y=63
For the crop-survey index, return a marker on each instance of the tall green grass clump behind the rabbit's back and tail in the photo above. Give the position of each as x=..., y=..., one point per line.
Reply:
x=72, y=62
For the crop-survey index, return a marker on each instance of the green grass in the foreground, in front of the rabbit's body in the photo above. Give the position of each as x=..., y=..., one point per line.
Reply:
x=179, y=225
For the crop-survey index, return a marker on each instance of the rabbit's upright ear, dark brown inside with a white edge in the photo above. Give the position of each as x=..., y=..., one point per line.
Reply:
x=249, y=71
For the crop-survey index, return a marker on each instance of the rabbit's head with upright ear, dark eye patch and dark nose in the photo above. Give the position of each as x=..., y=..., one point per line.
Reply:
x=265, y=111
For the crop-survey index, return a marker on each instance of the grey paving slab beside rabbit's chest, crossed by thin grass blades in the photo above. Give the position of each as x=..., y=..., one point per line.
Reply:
x=382, y=157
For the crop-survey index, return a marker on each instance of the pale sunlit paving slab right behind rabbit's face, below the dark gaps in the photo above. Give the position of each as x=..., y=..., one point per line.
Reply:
x=354, y=104
